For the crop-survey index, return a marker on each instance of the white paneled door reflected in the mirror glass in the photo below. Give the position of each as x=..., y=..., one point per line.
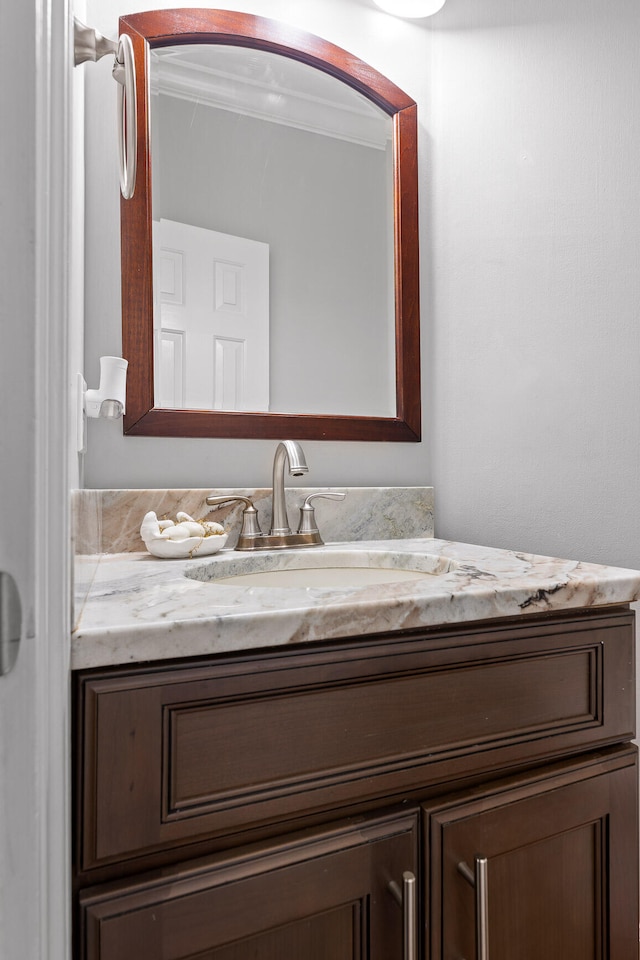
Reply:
x=211, y=319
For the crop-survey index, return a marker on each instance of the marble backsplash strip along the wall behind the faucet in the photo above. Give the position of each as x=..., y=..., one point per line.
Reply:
x=108, y=521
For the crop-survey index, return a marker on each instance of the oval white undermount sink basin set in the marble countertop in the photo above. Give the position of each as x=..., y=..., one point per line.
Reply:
x=337, y=569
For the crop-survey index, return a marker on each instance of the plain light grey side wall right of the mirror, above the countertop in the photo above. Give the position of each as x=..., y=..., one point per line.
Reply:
x=534, y=367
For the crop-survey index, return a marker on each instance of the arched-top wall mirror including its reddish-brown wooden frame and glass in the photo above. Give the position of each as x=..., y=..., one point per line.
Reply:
x=270, y=249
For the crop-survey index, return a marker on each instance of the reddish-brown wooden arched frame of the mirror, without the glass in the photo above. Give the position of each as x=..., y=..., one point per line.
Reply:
x=170, y=27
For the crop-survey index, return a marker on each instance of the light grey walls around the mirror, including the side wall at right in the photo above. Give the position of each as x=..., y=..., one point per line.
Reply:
x=530, y=230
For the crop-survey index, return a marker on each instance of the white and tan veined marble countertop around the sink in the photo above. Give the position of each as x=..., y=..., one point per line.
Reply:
x=132, y=608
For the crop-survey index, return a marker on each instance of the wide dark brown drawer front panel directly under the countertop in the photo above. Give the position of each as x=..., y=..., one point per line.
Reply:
x=172, y=756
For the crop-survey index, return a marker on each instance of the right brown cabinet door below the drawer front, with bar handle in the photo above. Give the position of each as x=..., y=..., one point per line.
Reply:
x=560, y=867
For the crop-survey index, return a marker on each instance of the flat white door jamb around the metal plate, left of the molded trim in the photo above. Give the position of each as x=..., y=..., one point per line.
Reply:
x=19, y=891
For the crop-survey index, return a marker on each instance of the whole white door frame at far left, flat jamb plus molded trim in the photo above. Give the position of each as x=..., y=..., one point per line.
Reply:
x=35, y=817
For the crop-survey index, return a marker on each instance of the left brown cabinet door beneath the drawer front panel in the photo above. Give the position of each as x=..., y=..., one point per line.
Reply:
x=330, y=895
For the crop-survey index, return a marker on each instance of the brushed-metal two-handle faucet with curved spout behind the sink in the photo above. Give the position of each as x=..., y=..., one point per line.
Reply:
x=280, y=535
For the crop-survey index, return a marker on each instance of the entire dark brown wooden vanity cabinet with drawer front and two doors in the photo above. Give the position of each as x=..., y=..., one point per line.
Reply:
x=280, y=803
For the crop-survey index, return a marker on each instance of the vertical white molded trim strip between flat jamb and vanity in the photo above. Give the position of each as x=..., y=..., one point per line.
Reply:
x=52, y=557
